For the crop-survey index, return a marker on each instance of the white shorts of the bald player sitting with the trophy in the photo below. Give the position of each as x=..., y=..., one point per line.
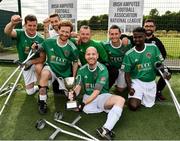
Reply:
x=97, y=105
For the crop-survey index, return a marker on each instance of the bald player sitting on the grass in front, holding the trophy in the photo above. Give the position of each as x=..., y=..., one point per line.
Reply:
x=93, y=78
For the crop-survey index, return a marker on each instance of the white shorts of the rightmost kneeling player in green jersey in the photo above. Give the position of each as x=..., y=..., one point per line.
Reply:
x=144, y=91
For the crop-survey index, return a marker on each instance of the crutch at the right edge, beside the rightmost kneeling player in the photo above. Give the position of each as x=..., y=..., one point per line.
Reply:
x=160, y=66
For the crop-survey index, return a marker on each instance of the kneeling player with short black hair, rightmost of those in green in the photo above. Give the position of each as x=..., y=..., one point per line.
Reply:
x=140, y=71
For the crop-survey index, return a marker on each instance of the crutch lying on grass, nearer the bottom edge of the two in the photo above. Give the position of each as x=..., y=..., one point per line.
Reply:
x=42, y=122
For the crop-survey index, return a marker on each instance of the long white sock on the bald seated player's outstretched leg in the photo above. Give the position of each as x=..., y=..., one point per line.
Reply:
x=113, y=116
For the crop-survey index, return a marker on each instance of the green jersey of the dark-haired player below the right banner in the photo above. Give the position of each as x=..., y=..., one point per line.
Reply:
x=115, y=54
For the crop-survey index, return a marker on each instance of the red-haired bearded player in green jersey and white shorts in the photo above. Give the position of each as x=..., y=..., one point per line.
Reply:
x=62, y=57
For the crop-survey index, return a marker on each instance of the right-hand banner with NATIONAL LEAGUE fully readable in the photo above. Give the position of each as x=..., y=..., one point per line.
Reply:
x=127, y=14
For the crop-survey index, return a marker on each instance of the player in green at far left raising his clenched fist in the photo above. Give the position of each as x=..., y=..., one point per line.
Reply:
x=25, y=38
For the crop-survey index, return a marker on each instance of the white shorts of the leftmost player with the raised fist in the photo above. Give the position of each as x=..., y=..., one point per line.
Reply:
x=30, y=76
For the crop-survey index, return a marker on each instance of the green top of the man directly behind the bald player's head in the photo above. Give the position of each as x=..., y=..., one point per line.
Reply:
x=82, y=50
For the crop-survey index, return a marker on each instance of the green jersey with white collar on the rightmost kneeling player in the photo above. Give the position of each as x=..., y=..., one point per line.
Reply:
x=141, y=64
